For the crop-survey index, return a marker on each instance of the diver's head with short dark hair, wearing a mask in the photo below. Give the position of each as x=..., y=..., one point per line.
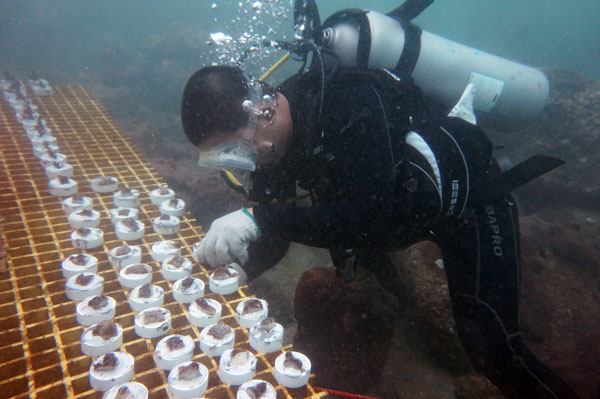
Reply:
x=235, y=121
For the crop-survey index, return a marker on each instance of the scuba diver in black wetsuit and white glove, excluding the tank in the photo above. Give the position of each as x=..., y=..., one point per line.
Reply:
x=385, y=166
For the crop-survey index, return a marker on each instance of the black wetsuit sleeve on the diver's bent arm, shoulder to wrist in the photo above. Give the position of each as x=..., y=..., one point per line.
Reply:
x=358, y=153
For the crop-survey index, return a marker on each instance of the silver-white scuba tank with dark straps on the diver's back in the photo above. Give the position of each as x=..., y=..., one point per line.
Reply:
x=506, y=94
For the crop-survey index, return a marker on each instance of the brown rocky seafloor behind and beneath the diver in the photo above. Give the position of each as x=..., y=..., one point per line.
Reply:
x=418, y=355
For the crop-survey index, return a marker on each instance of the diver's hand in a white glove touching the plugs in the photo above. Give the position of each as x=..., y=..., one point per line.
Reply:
x=227, y=239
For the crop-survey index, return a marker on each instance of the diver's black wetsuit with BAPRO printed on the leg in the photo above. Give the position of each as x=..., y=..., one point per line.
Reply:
x=386, y=169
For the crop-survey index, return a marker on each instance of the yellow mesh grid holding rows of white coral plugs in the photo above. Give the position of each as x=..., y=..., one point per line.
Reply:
x=40, y=354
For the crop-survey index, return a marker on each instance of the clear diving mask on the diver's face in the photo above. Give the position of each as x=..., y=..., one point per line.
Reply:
x=241, y=154
